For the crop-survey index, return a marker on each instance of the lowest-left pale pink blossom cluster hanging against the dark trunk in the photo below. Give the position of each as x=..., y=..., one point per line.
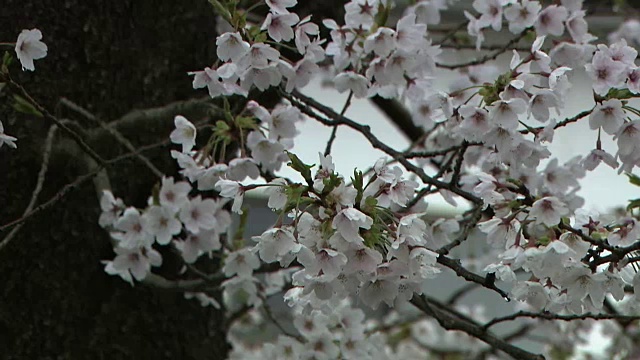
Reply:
x=191, y=224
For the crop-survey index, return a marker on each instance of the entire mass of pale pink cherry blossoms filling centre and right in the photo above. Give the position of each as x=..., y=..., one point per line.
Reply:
x=366, y=238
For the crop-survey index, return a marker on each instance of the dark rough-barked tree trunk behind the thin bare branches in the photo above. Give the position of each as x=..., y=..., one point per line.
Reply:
x=110, y=57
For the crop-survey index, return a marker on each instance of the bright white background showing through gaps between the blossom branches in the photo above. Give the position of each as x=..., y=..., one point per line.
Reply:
x=602, y=188
